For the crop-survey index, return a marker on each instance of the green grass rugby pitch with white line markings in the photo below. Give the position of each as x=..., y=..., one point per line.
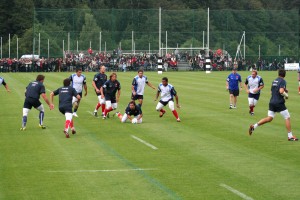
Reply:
x=208, y=155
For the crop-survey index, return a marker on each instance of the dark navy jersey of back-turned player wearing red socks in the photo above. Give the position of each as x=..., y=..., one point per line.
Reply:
x=65, y=96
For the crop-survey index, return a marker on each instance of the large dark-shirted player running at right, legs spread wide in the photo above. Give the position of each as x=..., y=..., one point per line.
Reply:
x=277, y=104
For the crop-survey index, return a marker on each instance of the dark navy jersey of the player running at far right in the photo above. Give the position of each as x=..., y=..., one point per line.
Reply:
x=276, y=97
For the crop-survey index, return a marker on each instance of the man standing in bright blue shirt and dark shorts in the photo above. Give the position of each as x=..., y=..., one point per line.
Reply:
x=232, y=84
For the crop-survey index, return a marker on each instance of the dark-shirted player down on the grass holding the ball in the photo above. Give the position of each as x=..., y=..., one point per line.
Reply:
x=131, y=110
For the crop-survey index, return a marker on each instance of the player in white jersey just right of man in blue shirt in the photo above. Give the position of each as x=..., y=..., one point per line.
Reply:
x=253, y=84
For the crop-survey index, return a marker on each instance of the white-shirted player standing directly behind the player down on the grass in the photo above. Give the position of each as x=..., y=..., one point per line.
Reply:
x=138, y=87
